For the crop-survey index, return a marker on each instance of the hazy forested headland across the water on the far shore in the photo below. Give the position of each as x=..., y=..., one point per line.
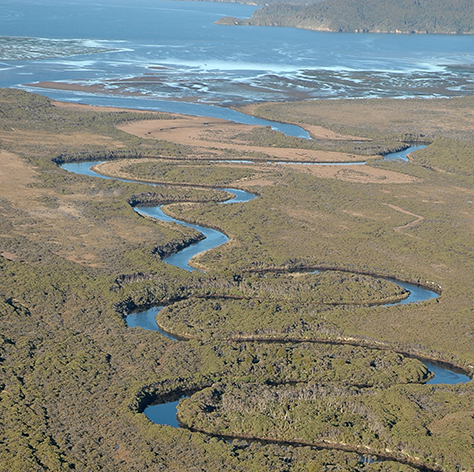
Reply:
x=377, y=16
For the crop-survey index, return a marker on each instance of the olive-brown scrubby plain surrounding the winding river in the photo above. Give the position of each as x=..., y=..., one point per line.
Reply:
x=76, y=258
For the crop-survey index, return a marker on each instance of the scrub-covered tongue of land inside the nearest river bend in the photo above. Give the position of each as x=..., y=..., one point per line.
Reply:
x=366, y=421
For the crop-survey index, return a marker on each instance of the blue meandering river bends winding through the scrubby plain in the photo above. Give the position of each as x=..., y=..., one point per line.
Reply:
x=165, y=413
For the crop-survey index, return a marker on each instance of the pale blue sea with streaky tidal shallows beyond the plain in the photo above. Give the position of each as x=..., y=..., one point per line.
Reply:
x=169, y=51
